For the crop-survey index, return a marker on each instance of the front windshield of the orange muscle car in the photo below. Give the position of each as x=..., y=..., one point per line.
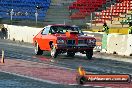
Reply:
x=64, y=29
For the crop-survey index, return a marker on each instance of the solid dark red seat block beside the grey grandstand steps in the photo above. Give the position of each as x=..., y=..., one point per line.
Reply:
x=85, y=7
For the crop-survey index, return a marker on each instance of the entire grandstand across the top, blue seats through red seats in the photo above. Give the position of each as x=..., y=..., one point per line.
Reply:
x=116, y=13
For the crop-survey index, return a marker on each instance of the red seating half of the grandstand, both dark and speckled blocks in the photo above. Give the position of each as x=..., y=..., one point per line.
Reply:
x=116, y=13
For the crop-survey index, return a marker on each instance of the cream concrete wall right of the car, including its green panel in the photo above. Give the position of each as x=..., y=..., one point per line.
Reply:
x=114, y=43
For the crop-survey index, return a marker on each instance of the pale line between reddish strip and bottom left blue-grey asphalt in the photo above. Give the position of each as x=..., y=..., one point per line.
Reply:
x=37, y=79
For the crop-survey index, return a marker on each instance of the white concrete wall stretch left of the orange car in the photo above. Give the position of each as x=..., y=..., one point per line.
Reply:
x=22, y=33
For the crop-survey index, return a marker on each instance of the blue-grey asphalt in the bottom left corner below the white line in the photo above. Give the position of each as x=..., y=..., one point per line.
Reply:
x=13, y=81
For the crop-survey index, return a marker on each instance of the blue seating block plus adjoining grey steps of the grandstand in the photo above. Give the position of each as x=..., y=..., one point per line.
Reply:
x=49, y=11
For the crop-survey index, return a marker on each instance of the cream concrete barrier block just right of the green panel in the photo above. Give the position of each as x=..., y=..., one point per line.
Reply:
x=116, y=43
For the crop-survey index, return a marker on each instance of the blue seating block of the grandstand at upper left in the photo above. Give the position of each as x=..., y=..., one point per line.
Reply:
x=23, y=9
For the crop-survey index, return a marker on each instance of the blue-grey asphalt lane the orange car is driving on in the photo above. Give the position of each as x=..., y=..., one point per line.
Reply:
x=100, y=64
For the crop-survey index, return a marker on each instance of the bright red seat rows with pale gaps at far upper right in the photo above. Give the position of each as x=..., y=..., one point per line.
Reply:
x=122, y=6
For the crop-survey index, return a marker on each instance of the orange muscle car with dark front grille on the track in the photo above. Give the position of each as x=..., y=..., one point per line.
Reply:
x=60, y=39
